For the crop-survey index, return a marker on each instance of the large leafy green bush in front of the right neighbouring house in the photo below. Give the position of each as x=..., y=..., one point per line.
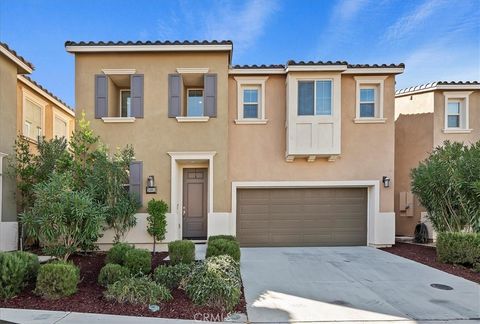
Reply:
x=447, y=183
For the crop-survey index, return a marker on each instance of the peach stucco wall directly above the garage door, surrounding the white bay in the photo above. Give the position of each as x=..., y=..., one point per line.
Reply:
x=257, y=152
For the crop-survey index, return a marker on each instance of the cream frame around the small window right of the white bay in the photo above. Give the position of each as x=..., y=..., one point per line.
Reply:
x=368, y=82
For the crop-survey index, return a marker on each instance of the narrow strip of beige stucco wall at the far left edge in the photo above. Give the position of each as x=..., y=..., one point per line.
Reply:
x=8, y=102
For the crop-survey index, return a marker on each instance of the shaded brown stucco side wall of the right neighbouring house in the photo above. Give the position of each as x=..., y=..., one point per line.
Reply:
x=413, y=143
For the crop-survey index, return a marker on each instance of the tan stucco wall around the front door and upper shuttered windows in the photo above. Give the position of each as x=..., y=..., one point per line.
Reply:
x=156, y=134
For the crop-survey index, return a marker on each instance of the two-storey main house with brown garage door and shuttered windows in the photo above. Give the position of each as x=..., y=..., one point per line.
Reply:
x=284, y=155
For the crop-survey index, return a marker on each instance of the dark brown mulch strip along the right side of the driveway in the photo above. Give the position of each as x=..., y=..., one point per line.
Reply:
x=428, y=255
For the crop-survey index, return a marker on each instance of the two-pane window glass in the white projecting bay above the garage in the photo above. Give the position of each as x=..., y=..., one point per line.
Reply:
x=315, y=98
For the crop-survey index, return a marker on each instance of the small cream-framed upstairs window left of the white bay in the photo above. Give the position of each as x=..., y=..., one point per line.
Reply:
x=251, y=100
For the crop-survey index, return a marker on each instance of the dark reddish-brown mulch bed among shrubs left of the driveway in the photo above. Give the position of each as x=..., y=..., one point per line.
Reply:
x=89, y=297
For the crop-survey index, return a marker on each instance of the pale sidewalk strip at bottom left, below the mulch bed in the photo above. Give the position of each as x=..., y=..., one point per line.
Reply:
x=27, y=316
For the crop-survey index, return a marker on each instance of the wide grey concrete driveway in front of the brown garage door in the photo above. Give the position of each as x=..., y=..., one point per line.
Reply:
x=350, y=284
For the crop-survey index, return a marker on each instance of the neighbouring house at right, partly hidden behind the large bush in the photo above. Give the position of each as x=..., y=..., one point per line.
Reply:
x=426, y=116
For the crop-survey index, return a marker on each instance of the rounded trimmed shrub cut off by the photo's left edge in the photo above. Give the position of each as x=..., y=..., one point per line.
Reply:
x=13, y=273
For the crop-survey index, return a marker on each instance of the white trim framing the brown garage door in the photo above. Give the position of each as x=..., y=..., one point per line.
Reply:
x=373, y=204
